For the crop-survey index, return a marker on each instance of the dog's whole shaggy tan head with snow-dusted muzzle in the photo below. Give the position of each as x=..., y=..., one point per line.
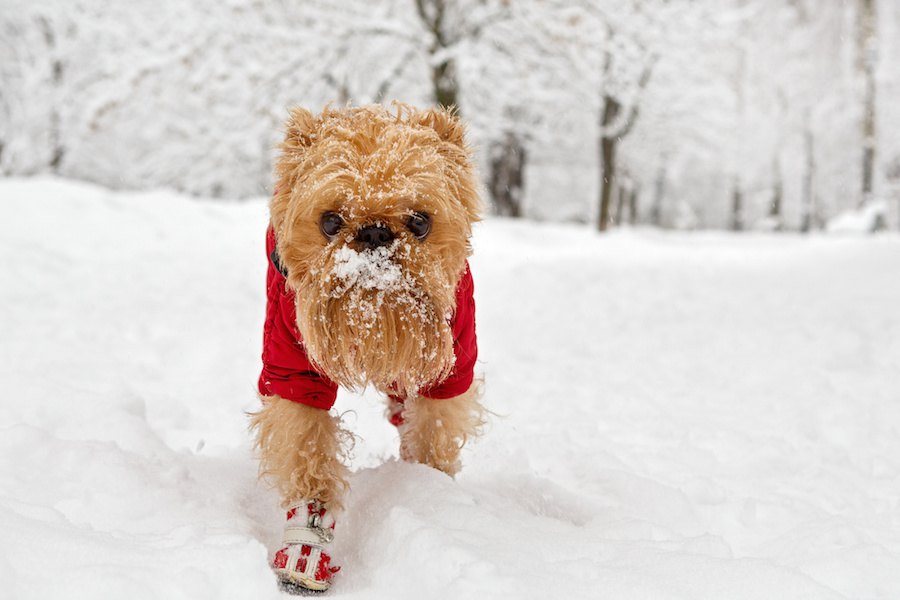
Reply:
x=372, y=217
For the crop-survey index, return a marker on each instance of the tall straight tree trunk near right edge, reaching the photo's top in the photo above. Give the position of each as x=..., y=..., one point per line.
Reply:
x=867, y=51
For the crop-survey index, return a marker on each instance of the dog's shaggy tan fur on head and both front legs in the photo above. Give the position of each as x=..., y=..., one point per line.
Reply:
x=388, y=328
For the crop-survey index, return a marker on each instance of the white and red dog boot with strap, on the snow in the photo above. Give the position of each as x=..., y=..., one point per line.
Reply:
x=303, y=565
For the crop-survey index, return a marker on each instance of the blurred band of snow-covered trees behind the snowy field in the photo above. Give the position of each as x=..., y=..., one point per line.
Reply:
x=679, y=113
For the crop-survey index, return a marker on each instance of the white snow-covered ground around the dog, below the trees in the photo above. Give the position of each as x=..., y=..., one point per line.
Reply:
x=678, y=415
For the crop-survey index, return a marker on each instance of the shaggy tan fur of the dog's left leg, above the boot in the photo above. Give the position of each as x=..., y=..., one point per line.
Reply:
x=301, y=451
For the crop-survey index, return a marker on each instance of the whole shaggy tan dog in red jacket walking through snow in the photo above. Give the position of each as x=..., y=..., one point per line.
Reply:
x=368, y=283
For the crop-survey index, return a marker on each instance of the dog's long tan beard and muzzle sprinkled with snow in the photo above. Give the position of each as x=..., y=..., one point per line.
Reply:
x=378, y=317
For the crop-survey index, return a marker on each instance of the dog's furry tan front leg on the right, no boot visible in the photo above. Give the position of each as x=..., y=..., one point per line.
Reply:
x=434, y=431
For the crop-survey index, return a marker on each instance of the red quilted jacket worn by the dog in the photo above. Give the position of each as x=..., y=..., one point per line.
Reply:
x=288, y=372
